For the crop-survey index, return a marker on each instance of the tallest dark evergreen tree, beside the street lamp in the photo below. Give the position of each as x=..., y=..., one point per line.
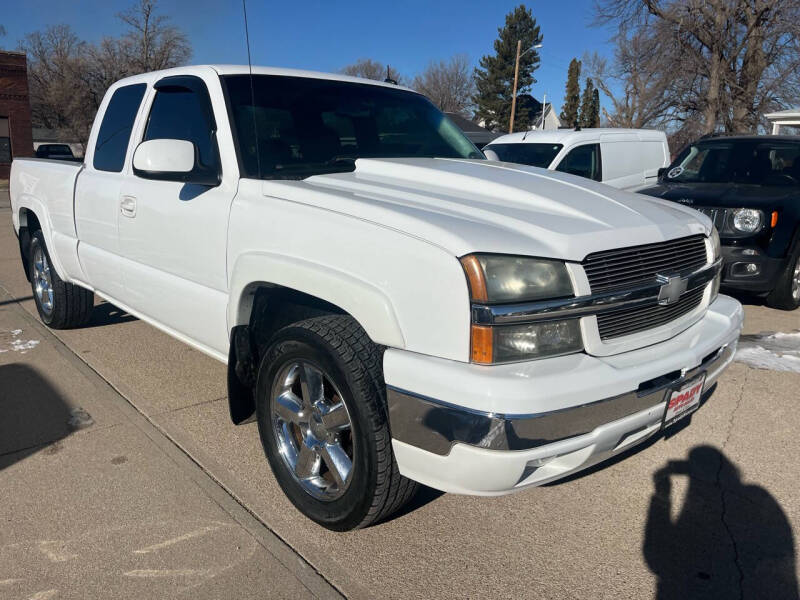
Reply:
x=494, y=78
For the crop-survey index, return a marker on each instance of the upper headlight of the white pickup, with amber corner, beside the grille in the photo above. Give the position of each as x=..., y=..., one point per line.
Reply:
x=496, y=278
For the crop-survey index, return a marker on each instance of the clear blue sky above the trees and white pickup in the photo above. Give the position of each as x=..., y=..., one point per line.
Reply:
x=325, y=36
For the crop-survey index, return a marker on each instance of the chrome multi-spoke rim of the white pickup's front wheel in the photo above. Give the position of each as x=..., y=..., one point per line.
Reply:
x=313, y=429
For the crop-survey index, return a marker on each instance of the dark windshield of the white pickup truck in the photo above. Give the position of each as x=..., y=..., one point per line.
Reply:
x=298, y=127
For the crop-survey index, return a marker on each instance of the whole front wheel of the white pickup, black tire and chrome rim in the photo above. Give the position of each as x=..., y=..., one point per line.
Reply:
x=323, y=423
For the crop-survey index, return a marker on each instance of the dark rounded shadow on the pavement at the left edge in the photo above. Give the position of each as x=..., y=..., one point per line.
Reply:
x=33, y=415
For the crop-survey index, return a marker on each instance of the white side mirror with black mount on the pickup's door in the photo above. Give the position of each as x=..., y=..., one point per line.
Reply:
x=171, y=160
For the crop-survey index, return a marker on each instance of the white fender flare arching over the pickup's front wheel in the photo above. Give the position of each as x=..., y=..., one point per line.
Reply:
x=365, y=302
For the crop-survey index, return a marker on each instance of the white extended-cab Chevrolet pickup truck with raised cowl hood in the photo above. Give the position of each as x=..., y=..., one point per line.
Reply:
x=392, y=307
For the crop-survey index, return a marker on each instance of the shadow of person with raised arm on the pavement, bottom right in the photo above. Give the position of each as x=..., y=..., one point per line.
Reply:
x=730, y=539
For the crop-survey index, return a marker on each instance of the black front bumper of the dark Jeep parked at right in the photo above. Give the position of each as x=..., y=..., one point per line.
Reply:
x=735, y=274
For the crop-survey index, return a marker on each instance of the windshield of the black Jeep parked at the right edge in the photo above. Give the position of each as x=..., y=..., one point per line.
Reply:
x=745, y=161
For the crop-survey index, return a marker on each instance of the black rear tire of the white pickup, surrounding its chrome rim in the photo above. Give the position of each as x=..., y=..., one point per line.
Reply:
x=71, y=304
